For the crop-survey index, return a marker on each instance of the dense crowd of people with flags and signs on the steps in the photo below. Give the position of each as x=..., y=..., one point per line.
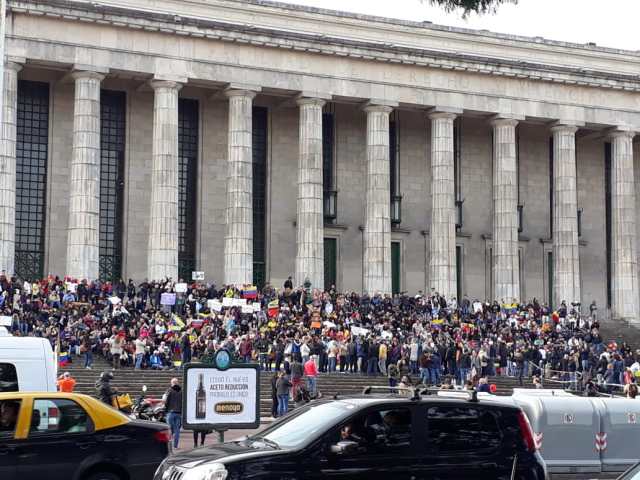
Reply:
x=302, y=332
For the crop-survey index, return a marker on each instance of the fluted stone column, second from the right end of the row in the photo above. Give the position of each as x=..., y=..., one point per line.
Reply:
x=566, y=255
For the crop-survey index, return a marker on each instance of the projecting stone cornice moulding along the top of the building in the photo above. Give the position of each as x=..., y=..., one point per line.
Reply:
x=263, y=36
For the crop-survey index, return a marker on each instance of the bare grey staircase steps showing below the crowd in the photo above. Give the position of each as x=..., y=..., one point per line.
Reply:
x=131, y=381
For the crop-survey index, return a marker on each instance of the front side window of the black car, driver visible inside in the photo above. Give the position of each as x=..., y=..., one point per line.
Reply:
x=378, y=431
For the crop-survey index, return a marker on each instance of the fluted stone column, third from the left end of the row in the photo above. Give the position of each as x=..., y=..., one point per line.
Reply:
x=162, y=259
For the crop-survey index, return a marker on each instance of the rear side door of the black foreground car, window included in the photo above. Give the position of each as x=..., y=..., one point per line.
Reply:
x=462, y=441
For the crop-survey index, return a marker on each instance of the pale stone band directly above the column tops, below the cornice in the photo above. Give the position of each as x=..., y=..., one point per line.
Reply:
x=57, y=37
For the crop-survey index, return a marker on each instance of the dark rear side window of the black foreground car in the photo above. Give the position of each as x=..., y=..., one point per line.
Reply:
x=460, y=429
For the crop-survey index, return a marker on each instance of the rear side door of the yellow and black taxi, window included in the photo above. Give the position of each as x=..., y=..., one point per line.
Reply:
x=60, y=439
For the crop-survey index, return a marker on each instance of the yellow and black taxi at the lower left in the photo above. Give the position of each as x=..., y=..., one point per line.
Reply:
x=67, y=436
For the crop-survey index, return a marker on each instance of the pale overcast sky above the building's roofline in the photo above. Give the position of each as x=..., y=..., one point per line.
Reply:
x=608, y=23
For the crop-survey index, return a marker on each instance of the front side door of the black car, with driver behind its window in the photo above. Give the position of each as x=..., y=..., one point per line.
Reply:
x=384, y=447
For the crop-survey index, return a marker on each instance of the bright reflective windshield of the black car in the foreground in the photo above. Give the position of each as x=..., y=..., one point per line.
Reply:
x=293, y=431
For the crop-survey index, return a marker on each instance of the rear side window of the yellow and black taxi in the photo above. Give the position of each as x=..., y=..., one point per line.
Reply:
x=59, y=416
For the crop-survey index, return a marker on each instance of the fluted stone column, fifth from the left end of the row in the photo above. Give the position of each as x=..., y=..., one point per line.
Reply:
x=310, y=215
